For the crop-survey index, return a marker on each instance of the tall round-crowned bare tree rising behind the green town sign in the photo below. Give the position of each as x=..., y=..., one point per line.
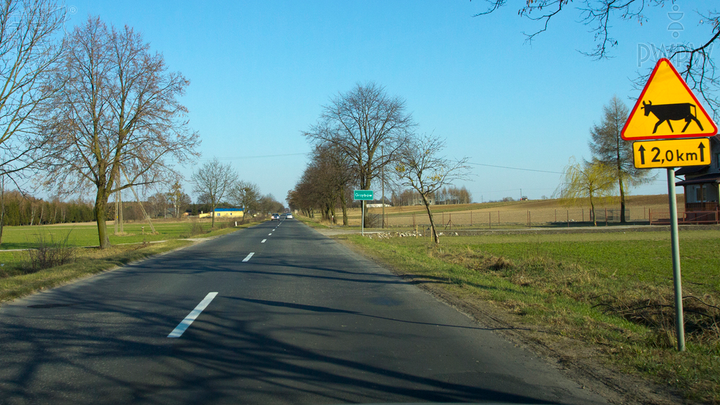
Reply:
x=358, y=123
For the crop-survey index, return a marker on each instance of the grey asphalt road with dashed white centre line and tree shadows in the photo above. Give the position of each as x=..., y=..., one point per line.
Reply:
x=300, y=320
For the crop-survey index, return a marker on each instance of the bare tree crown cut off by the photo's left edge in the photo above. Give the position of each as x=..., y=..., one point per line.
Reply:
x=30, y=47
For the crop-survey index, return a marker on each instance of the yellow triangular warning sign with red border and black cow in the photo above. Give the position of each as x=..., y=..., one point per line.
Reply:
x=667, y=109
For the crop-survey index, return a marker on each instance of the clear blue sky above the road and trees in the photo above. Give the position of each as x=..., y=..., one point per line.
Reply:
x=260, y=72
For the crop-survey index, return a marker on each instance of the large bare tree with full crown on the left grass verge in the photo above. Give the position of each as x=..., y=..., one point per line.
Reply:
x=118, y=114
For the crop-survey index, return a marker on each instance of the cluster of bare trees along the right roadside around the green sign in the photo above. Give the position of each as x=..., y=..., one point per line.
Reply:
x=365, y=136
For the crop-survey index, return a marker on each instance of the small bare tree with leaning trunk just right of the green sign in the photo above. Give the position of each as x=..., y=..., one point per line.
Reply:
x=419, y=166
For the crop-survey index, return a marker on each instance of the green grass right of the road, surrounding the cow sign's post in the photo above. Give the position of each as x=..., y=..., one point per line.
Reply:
x=610, y=292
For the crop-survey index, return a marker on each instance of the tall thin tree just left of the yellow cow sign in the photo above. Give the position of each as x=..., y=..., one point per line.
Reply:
x=608, y=147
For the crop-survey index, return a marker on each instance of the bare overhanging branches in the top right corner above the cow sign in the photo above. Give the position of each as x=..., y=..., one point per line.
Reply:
x=693, y=60
